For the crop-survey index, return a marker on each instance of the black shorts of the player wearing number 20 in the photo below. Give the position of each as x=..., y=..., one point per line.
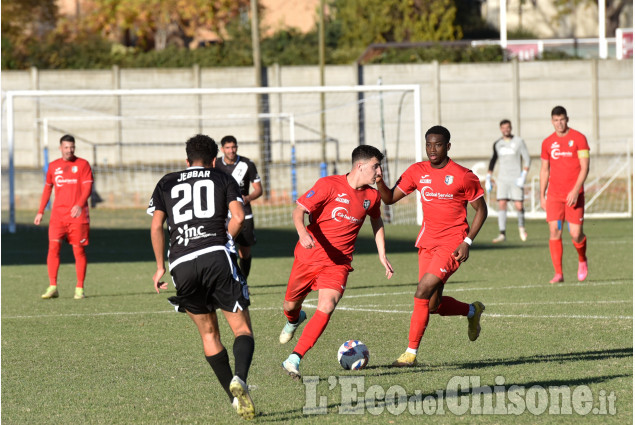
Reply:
x=210, y=281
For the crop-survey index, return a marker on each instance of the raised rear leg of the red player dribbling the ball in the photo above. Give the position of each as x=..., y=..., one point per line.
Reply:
x=298, y=287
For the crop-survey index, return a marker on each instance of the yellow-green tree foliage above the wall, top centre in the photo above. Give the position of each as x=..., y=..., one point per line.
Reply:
x=379, y=21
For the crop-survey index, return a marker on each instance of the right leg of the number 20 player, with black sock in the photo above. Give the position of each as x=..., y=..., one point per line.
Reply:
x=240, y=323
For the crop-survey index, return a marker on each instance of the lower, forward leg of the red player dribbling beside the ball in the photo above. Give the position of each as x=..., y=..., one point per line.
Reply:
x=330, y=284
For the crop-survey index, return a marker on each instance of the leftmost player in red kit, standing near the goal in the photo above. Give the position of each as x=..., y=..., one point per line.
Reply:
x=72, y=178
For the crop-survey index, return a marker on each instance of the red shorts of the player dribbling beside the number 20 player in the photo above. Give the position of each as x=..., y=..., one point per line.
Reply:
x=306, y=278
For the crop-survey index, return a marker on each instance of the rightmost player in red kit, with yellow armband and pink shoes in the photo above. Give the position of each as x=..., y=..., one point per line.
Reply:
x=564, y=168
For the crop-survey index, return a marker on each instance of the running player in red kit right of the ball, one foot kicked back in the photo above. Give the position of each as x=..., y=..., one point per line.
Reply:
x=445, y=237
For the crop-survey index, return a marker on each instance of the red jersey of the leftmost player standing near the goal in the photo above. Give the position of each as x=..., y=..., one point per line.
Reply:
x=73, y=182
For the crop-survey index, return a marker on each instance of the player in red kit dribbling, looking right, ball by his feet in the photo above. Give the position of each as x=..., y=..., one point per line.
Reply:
x=337, y=207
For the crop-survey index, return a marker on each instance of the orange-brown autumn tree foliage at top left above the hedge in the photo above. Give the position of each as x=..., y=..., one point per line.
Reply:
x=151, y=24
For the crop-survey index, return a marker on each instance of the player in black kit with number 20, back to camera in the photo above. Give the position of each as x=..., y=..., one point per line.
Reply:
x=202, y=261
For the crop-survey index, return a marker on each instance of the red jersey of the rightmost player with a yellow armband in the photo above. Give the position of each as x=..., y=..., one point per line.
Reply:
x=564, y=164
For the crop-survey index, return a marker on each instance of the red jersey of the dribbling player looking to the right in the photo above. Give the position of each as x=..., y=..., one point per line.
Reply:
x=337, y=213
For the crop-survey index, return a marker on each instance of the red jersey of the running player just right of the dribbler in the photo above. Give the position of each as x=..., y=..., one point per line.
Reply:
x=445, y=193
